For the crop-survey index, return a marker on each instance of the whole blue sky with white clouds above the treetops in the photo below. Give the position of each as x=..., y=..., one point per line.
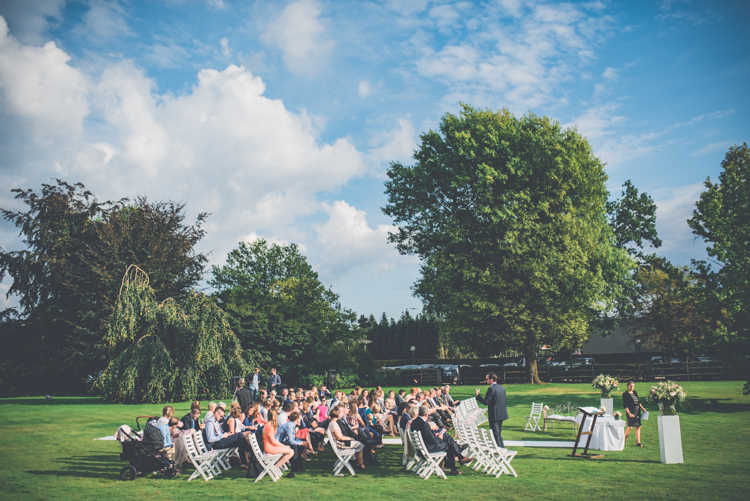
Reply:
x=280, y=119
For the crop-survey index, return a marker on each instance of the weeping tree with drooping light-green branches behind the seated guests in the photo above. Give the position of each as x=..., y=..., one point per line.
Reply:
x=168, y=351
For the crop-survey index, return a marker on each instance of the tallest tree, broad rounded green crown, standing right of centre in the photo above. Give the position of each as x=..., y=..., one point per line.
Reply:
x=508, y=215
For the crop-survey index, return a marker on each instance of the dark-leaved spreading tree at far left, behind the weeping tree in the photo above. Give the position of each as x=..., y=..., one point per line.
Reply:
x=68, y=276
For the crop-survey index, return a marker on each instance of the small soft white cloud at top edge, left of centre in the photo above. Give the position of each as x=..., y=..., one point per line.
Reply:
x=301, y=36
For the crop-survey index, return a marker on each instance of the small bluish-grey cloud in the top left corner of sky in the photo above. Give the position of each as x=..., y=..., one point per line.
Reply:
x=29, y=20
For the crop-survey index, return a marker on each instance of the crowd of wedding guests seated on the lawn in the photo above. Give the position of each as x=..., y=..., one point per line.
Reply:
x=294, y=422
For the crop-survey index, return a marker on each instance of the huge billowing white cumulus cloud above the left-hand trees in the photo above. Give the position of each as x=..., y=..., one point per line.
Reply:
x=223, y=146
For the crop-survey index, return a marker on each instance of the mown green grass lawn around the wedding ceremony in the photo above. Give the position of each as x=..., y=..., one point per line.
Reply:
x=49, y=452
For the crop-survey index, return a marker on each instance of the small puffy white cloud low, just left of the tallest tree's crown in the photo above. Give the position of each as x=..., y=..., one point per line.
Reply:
x=348, y=242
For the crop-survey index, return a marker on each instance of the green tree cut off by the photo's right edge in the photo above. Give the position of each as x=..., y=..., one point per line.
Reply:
x=722, y=218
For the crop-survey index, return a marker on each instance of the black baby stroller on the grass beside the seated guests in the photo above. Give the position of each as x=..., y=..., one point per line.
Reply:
x=143, y=455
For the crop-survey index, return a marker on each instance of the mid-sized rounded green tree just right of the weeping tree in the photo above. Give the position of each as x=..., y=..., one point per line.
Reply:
x=278, y=306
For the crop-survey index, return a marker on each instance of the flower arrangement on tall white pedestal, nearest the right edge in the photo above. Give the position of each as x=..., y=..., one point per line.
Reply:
x=667, y=394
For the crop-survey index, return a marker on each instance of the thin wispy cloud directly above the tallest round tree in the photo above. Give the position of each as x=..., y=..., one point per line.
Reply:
x=520, y=63
